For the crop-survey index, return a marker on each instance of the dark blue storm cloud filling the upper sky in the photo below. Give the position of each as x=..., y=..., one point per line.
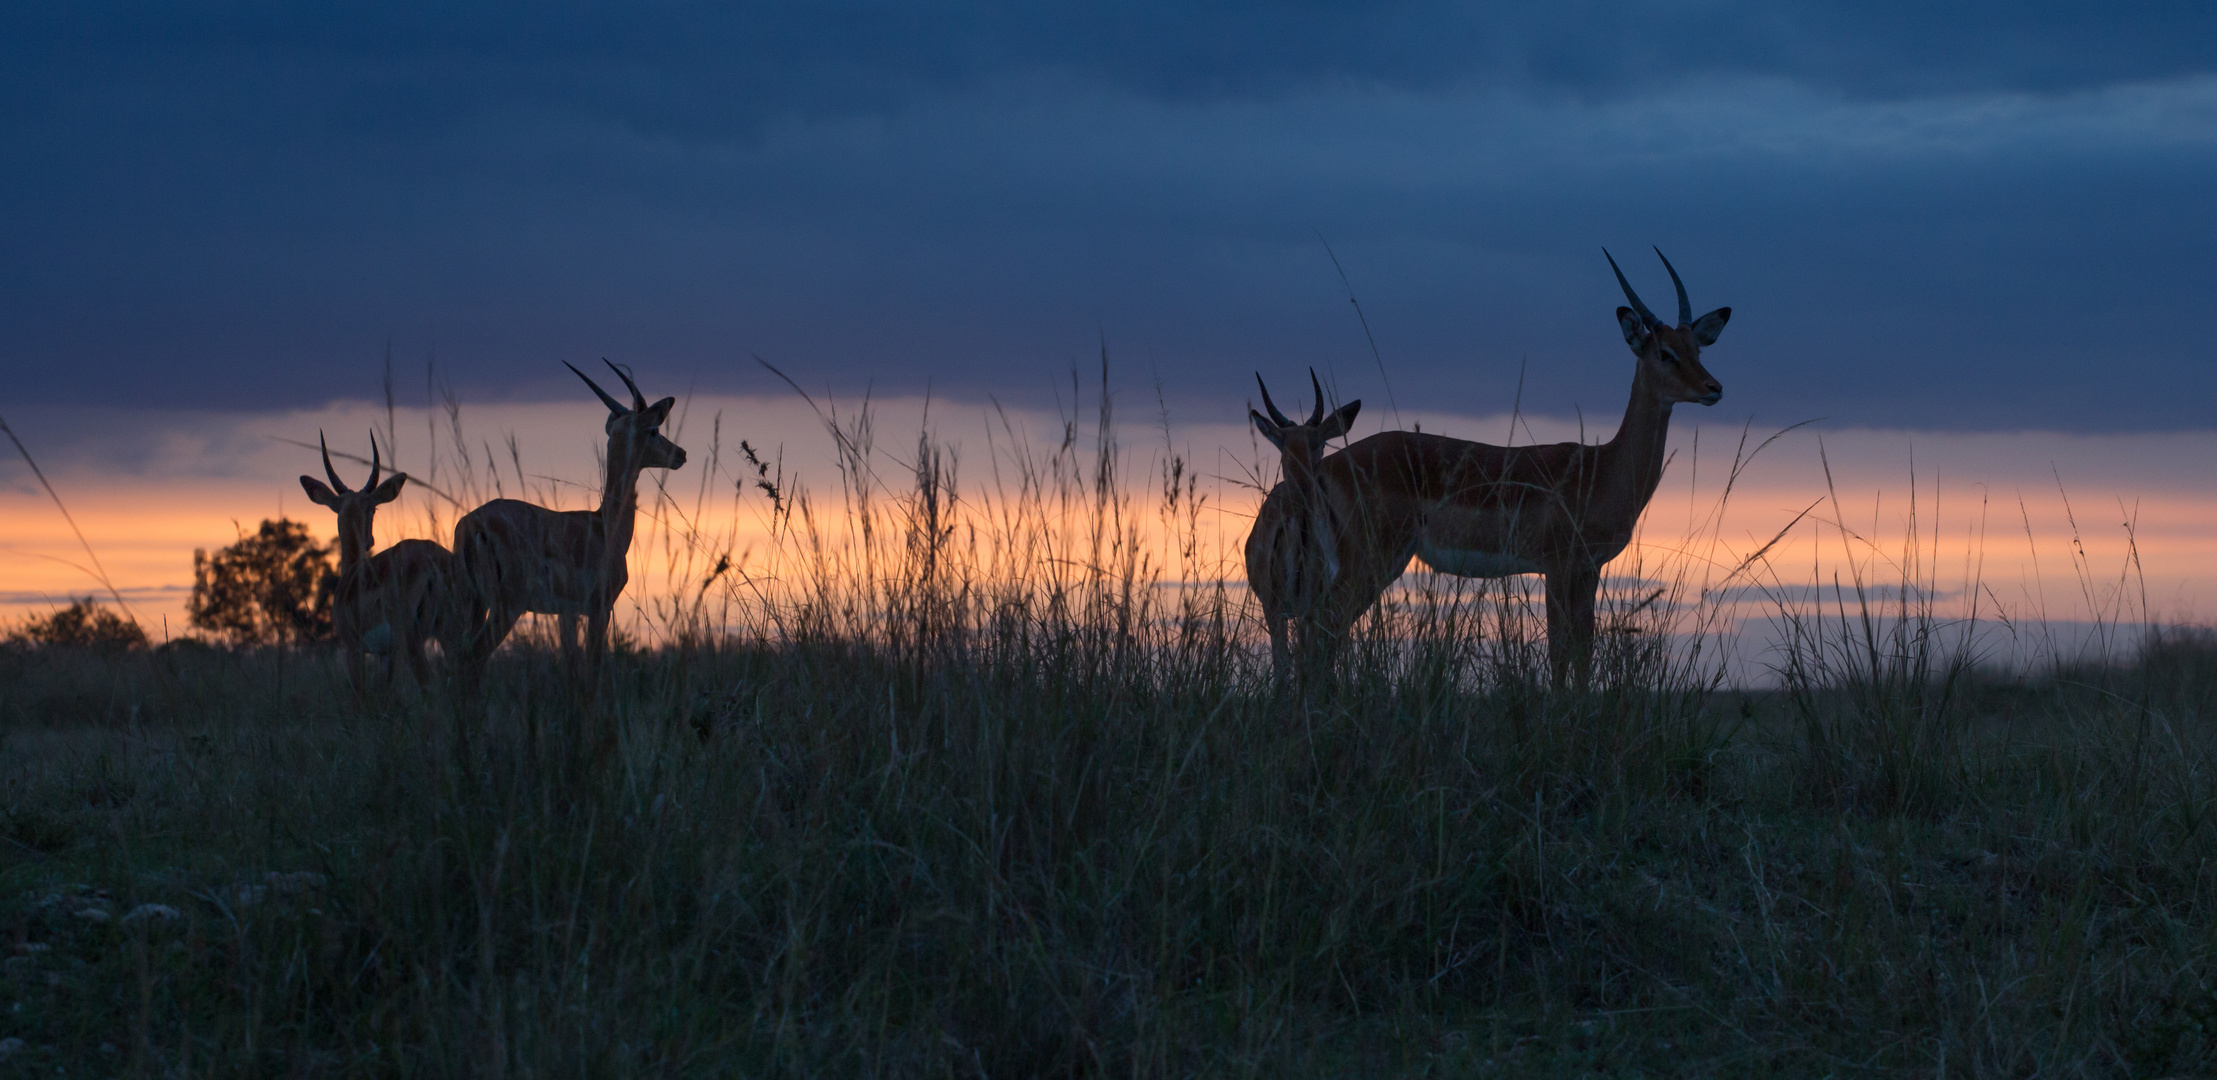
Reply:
x=1923, y=214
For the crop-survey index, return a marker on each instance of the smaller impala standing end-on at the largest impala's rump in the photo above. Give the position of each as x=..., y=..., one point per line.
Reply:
x=1294, y=551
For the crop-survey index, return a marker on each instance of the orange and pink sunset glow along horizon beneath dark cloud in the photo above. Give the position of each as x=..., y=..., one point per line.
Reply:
x=1999, y=507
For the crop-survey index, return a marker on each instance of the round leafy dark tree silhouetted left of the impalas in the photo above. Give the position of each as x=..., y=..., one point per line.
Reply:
x=269, y=589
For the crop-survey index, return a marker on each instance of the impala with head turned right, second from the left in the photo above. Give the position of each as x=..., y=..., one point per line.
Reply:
x=524, y=558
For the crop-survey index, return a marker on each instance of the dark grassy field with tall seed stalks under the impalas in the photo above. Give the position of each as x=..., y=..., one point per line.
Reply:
x=968, y=802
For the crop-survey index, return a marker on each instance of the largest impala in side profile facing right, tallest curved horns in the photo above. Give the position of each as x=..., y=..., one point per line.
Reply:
x=1495, y=511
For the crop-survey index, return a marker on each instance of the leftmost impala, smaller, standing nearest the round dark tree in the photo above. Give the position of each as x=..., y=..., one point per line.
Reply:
x=398, y=600
